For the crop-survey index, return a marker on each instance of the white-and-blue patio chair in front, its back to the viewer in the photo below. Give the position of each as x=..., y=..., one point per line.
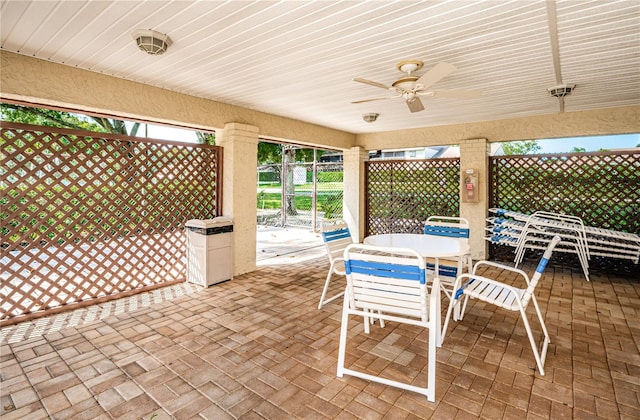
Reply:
x=393, y=283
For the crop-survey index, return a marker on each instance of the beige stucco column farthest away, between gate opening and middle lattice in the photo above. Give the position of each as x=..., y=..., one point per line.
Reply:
x=354, y=205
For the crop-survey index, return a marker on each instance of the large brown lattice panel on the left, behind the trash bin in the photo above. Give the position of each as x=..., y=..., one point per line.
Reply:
x=88, y=215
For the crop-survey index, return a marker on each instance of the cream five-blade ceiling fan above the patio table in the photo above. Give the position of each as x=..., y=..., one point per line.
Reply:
x=411, y=87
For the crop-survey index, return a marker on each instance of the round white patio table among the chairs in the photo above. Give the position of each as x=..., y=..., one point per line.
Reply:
x=429, y=246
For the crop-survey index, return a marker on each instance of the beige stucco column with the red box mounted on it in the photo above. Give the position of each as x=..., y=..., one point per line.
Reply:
x=473, y=155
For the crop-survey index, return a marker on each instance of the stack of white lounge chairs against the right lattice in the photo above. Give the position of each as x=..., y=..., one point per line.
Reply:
x=535, y=231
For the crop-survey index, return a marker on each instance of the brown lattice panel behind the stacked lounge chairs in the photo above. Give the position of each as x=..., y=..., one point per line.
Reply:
x=601, y=188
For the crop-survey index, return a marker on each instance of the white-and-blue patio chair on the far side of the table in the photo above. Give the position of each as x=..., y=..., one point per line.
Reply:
x=449, y=269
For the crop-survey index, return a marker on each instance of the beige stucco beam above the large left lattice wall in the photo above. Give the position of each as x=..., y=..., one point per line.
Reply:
x=39, y=81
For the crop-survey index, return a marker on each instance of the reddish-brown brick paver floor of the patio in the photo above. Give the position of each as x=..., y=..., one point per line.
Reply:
x=258, y=347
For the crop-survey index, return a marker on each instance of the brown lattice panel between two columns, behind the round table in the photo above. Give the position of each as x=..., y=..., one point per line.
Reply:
x=401, y=194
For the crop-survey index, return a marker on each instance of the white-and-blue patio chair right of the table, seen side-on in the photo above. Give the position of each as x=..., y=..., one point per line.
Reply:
x=505, y=296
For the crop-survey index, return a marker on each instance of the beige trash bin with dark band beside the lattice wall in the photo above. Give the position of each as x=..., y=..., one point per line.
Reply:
x=209, y=250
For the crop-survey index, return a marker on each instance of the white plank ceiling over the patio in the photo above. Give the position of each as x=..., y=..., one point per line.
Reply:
x=297, y=58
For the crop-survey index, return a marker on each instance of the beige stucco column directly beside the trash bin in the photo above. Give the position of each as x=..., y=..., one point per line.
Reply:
x=240, y=151
